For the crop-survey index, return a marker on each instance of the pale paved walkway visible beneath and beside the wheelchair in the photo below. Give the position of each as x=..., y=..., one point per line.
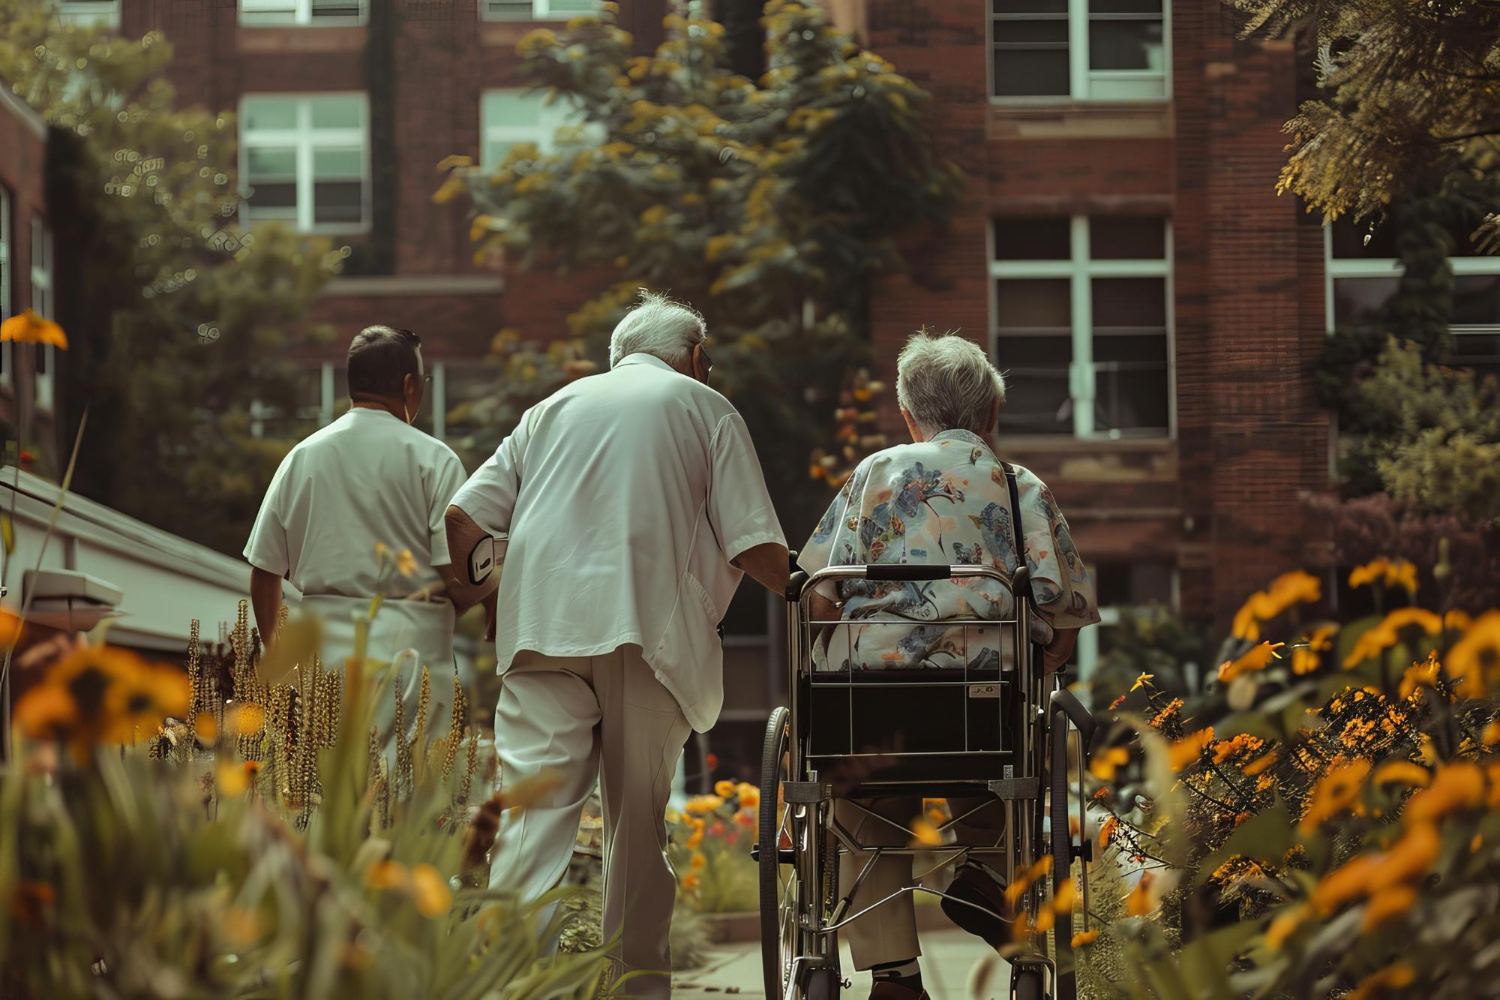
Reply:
x=949, y=957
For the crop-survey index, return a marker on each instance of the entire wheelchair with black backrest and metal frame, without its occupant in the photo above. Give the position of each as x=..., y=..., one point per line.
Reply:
x=988, y=729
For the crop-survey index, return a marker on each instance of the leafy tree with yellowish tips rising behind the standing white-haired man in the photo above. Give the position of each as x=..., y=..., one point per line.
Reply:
x=767, y=206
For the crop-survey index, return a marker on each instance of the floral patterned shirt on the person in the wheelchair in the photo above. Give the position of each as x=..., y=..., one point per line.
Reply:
x=944, y=500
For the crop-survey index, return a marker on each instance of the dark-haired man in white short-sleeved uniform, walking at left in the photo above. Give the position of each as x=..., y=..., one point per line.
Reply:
x=352, y=499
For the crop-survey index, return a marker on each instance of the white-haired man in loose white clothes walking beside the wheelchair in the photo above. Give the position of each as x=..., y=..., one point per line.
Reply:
x=634, y=503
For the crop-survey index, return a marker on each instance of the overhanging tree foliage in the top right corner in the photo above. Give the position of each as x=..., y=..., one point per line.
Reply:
x=1409, y=94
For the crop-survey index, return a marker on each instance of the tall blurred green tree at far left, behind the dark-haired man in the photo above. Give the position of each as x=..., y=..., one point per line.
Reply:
x=178, y=320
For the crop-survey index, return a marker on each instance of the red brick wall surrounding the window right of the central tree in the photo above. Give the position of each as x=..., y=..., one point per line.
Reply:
x=1222, y=500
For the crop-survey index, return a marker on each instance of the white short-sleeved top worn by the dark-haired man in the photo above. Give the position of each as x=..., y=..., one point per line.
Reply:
x=365, y=479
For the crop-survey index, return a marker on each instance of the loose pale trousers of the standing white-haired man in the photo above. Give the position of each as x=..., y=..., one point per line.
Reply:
x=586, y=719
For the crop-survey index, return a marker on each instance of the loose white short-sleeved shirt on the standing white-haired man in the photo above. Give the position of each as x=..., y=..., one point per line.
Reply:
x=626, y=496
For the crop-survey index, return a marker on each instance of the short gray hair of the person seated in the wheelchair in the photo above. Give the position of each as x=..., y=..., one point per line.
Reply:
x=947, y=383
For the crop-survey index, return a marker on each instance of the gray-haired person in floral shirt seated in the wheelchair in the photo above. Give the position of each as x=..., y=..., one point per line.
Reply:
x=944, y=499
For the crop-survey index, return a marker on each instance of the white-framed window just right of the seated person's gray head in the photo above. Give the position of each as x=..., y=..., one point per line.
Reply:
x=1084, y=325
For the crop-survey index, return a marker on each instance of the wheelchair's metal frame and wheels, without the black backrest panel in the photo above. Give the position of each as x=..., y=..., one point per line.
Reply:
x=802, y=843
